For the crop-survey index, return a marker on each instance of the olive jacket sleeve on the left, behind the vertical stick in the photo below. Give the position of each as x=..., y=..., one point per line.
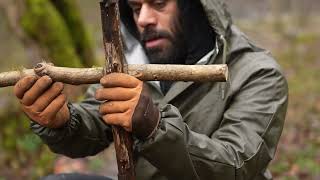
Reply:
x=84, y=135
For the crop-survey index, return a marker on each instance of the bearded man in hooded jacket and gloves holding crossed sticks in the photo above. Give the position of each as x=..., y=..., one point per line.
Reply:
x=186, y=130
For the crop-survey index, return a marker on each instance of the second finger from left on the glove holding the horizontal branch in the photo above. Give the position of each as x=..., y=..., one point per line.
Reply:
x=36, y=90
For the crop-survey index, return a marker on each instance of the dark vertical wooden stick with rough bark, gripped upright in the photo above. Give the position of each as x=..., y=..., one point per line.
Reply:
x=114, y=63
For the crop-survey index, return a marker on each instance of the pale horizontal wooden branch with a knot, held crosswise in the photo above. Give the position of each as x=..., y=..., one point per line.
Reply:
x=144, y=72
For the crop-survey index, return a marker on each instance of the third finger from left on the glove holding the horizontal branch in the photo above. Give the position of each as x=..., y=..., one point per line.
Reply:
x=47, y=97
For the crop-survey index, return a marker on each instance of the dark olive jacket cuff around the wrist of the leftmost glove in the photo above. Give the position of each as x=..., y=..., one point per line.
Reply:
x=54, y=136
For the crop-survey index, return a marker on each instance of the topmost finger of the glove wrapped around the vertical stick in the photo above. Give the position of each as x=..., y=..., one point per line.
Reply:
x=119, y=80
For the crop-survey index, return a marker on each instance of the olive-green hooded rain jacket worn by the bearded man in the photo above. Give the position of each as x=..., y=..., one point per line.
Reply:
x=207, y=130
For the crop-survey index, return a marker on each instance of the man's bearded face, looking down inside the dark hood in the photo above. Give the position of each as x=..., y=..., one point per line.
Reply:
x=158, y=25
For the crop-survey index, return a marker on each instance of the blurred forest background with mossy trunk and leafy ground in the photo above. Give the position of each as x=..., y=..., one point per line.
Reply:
x=68, y=33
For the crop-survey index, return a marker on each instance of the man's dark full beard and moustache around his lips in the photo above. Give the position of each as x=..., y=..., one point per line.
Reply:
x=173, y=53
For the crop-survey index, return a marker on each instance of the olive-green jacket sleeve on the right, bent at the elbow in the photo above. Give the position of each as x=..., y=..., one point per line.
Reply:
x=241, y=148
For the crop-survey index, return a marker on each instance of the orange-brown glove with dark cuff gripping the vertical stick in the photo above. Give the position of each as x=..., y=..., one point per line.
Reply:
x=128, y=105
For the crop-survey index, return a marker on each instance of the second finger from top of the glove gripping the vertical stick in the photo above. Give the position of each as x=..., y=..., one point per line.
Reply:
x=115, y=94
